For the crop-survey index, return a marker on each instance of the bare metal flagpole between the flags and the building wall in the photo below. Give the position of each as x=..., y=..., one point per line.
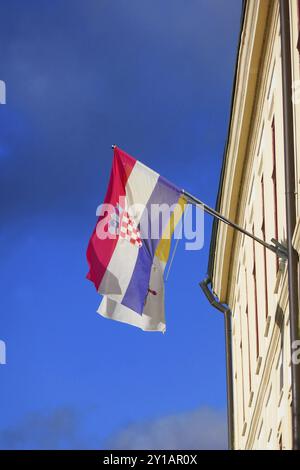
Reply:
x=276, y=248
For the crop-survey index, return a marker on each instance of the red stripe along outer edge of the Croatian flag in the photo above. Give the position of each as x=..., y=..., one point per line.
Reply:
x=99, y=252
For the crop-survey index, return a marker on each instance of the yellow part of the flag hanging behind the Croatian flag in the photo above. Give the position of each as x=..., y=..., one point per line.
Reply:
x=163, y=248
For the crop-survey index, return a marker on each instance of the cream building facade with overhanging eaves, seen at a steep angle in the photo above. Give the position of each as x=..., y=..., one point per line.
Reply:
x=246, y=276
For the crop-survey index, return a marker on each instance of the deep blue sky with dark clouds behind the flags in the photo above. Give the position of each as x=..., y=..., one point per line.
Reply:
x=154, y=77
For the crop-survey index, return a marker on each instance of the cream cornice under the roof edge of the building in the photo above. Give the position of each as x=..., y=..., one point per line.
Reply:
x=247, y=74
